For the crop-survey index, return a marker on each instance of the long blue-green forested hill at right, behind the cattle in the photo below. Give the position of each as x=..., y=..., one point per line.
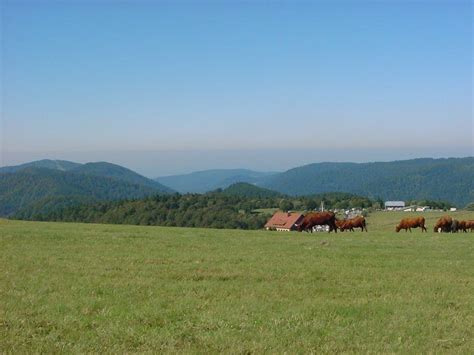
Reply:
x=434, y=179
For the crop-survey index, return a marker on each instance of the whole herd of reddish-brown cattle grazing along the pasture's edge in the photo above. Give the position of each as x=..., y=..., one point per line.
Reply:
x=445, y=224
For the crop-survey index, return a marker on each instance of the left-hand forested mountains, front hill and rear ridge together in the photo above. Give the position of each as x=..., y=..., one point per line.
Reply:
x=40, y=187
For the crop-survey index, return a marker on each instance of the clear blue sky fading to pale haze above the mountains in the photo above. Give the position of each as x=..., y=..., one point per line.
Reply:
x=167, y=87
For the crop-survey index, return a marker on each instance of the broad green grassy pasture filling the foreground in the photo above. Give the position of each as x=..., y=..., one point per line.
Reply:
x=94, y=288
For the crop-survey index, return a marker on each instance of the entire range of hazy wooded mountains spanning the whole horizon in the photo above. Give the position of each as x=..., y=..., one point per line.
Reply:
x=57, y=182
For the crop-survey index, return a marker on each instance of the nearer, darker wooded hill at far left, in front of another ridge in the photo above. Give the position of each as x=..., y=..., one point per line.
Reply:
x=36, y=187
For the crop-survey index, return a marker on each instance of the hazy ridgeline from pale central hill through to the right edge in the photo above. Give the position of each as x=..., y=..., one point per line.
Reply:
x=450, y=179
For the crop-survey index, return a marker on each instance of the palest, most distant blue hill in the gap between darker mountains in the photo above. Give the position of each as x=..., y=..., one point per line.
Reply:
x=208, y=180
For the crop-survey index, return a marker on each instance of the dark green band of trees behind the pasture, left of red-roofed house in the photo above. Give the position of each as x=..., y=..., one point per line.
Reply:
x=211, y=210
